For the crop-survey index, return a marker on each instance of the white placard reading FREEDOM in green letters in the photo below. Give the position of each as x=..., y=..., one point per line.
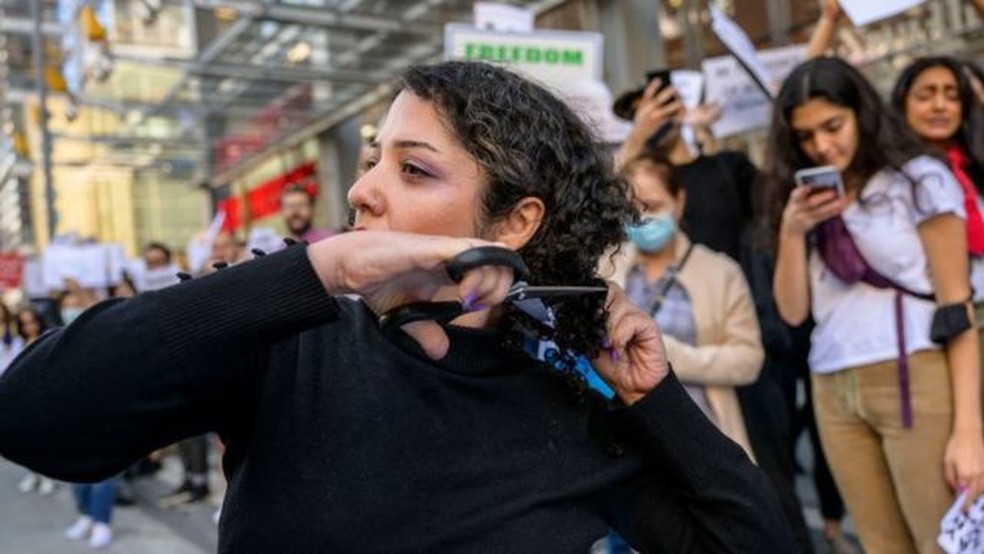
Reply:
x=548, y=56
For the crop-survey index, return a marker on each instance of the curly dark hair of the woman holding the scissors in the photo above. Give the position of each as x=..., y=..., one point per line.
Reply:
x=530, y=144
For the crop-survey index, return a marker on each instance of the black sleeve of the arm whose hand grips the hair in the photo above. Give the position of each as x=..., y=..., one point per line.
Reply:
x=700, y=492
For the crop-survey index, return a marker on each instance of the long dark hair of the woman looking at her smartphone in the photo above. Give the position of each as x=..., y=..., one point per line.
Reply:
x=884, y=141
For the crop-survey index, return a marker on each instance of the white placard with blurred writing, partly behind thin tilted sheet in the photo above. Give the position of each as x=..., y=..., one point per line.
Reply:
x=743, y=105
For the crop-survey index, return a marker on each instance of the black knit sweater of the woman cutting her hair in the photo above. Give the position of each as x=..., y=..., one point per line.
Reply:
x=340, y=439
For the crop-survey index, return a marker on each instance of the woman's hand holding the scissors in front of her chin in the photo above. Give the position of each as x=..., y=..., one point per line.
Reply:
x=389, y=269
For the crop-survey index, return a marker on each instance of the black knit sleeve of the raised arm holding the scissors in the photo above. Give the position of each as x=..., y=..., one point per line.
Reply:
x=129, y=376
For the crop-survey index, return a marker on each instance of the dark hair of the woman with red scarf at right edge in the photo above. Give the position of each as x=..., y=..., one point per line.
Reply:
x=970, y=135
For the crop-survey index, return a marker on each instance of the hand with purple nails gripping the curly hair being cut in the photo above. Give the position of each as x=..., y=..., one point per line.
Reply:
x=634, y=360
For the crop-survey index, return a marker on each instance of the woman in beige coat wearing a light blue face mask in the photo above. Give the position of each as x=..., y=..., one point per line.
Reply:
x=699, y=297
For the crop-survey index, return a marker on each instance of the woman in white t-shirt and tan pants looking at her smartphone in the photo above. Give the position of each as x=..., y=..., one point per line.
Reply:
x=891, y=404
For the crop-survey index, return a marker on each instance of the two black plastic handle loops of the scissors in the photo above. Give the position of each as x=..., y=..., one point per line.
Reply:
x=456, y=267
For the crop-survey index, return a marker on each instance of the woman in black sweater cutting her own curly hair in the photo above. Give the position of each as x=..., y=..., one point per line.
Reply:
x=346, y=430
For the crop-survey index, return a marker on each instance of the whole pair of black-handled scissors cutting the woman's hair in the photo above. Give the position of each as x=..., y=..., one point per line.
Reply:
x=456, y=267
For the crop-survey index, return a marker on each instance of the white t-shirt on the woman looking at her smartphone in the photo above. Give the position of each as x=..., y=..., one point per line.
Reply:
x=855, y=324
